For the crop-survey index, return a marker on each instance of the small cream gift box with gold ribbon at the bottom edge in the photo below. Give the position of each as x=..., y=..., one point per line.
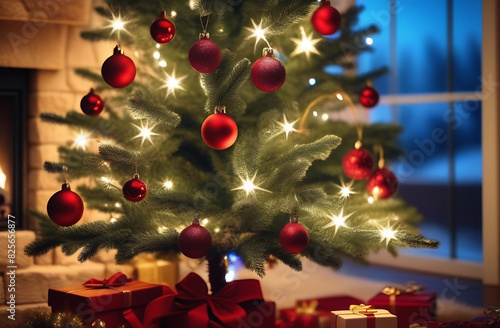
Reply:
x=378, y=319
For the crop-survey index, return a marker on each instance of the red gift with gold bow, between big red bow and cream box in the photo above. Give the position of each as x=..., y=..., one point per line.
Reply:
x=314, y=313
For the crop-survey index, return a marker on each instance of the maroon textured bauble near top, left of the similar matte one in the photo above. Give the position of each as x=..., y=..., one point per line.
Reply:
x=204, y=56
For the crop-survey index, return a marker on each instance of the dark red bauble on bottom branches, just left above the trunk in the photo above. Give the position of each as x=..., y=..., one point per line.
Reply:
x=195, y=241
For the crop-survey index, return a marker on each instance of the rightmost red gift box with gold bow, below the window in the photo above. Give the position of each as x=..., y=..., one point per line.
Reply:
x=410, y=306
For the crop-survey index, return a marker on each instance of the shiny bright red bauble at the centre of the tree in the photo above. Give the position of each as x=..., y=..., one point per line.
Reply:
x=219, y=131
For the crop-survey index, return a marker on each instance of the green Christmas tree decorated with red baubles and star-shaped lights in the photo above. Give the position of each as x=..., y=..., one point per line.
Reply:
x=269, y=174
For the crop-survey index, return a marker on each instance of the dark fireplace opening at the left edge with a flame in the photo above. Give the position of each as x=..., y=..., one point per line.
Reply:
x=14, y=84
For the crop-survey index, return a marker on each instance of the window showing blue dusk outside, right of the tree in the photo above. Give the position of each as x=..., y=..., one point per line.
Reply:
x=433, y=51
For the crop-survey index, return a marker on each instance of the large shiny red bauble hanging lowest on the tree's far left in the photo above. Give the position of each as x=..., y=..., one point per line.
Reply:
x=65, y=207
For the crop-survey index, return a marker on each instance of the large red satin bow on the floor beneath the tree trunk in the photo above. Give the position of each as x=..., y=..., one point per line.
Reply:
x=192, y=305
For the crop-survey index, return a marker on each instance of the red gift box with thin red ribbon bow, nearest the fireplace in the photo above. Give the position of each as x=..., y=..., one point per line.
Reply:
x=110, y=300
